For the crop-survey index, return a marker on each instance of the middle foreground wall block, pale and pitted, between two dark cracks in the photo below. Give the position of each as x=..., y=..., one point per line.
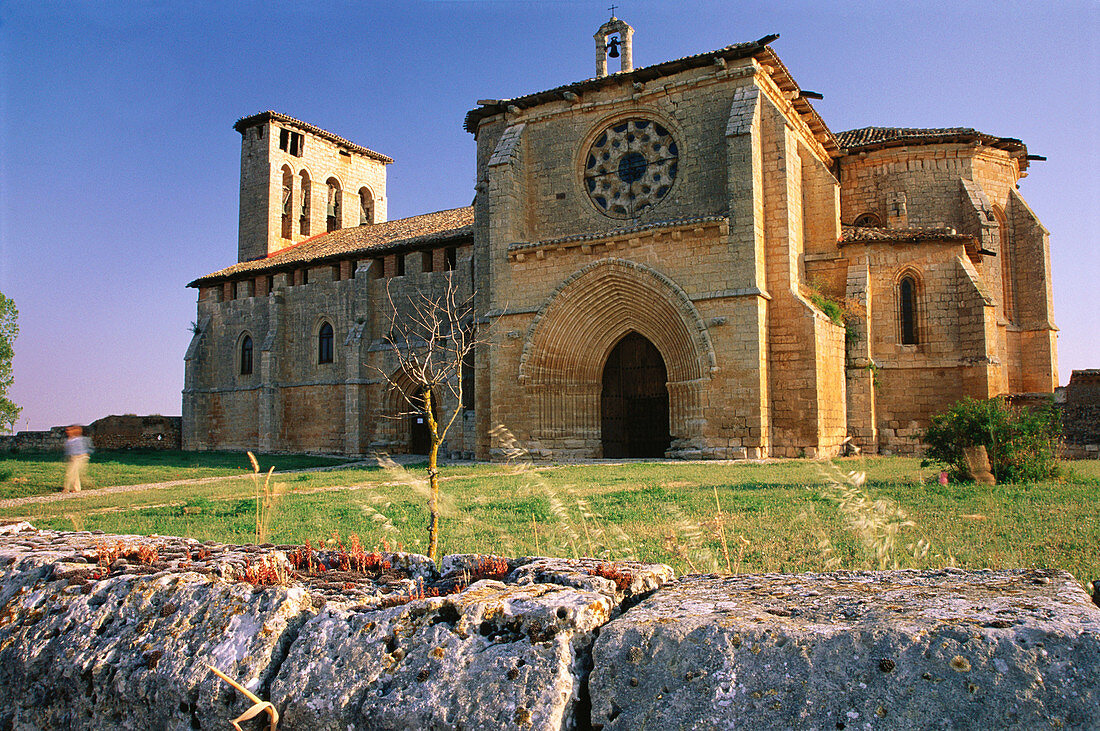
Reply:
x=492, y=657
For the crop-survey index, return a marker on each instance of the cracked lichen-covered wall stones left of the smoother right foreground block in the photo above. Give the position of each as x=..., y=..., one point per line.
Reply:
x=117, y=633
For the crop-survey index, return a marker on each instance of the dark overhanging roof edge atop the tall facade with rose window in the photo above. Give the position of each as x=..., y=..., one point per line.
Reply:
x=757, y=50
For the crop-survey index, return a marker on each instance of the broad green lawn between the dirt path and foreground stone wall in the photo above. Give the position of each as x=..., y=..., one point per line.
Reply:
x=783, y=517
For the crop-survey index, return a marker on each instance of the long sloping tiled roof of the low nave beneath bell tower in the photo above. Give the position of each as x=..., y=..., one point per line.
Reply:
x=403, y=235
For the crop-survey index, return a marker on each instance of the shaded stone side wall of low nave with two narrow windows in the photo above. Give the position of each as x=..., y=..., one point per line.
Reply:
x=291, y=402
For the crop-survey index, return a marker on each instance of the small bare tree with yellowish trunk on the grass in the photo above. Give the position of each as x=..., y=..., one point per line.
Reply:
x=432, y=336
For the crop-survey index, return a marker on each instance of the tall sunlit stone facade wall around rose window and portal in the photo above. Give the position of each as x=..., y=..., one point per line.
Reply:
x=532, y=201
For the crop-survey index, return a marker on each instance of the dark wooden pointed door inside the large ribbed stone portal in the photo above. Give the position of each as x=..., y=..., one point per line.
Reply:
x=635, y=401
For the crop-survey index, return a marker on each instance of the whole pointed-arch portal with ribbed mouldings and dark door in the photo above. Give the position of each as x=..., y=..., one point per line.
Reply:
x=608, y=305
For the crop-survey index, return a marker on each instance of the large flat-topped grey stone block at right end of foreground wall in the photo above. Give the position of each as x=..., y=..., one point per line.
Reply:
x=854, y=650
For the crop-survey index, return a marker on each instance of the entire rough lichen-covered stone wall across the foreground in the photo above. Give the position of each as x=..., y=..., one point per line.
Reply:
x=546, y=645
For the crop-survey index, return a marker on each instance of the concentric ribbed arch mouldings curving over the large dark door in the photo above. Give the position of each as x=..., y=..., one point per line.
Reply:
x=580, y=324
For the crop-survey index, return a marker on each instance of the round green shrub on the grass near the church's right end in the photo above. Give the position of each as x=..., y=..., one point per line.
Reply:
x=1022, y=444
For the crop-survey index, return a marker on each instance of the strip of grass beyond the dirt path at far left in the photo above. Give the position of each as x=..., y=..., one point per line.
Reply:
x=25, y=475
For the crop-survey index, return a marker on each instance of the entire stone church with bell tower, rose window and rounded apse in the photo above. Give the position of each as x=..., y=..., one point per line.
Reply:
x=680, y=260
